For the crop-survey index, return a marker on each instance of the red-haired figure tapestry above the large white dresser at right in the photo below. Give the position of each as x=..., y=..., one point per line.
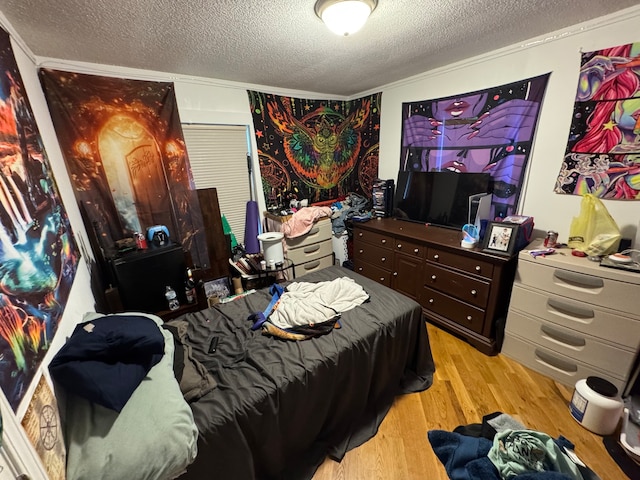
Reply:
x=603, y=151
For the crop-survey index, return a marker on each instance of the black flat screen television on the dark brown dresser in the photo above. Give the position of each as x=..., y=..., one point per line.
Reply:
x=438, y=198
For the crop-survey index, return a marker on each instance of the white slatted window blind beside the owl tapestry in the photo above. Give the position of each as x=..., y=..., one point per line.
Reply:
x=218, y=158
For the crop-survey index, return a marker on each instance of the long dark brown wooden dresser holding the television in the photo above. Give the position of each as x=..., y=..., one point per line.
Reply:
x=465, y=291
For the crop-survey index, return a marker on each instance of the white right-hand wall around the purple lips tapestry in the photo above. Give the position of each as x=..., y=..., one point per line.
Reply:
x=558, y=53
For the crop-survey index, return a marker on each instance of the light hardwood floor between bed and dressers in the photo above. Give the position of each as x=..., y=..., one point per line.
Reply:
x=467, y=385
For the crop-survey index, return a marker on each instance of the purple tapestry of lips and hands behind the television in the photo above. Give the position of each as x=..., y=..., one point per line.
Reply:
x=488, y=131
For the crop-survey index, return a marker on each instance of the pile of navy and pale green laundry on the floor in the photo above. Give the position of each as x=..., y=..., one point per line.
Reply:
x=502, y=448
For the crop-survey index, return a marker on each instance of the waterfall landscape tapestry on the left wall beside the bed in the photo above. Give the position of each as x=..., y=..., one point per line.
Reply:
x=38, y=254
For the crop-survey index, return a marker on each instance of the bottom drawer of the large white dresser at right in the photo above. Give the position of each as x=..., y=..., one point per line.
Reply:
x=564, y=369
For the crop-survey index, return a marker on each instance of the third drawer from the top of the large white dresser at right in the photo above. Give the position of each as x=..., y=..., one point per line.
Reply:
x=571, y=343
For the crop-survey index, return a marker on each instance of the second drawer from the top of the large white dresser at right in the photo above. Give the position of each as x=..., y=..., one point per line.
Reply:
x=580, y=316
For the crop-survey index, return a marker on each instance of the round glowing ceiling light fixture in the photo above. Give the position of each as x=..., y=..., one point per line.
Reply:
x=345, y=17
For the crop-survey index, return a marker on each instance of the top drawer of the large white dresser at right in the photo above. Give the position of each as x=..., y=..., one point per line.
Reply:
x=579, y=284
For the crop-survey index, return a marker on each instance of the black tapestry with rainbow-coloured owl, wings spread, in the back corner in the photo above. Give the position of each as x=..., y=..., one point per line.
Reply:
x=316, y=150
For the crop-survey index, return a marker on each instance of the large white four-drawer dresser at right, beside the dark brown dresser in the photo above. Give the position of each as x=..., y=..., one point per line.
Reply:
x=570, y=318
